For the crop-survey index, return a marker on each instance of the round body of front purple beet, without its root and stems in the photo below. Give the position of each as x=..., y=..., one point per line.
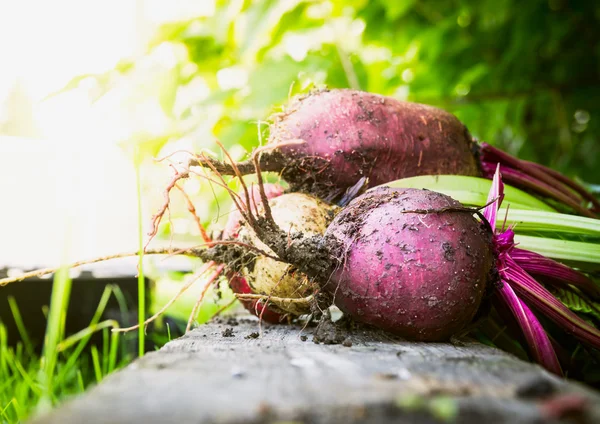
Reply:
x=421, y=275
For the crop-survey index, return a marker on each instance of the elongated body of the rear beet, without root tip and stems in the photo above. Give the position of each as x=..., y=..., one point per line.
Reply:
x=350, y=134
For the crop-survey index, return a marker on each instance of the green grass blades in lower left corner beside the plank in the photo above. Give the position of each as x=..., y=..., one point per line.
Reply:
x=32, y=383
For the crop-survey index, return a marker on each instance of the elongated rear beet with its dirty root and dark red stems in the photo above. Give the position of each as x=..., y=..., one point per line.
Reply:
x=348, y=135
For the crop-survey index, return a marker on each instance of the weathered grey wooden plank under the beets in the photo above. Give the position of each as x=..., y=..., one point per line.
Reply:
x=222, y=373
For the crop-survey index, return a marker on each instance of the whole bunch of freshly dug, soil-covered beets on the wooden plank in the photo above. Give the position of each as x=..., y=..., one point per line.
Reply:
x=413, y=262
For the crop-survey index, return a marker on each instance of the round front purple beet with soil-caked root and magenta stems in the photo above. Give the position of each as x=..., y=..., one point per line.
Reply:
x=418, y=264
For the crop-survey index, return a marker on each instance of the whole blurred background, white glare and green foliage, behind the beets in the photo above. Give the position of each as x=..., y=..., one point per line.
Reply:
x=91, y=89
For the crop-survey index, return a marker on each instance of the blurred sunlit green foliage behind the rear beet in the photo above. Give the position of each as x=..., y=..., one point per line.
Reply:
x=523, y=76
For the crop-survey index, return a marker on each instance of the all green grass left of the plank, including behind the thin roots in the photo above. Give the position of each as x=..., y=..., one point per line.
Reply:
x=32, y=383
